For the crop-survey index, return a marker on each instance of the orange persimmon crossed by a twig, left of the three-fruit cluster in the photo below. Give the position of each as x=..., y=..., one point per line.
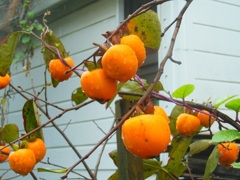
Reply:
x=58, y=69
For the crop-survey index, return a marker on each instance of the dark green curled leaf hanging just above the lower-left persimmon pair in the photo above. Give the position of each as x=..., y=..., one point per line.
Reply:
x=31, y=118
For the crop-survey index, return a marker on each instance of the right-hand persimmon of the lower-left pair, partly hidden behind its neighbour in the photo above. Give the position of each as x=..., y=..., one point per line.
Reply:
x=39, y=148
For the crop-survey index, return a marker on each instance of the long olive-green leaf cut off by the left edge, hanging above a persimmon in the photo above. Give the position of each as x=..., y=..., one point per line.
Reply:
x=7, y=52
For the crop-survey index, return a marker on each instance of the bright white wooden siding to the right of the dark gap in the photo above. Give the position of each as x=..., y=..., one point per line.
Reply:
x=207, y=46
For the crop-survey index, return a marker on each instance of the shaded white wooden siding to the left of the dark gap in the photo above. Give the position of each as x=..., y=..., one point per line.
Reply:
x=77, y=31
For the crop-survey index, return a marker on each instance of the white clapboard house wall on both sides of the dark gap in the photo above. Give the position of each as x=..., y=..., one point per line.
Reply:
x=207, y=46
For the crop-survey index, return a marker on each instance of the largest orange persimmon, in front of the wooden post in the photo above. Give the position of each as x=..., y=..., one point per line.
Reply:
x=146, y=135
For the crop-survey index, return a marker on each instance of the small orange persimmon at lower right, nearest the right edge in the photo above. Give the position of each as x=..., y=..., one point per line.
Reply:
x=228, y=153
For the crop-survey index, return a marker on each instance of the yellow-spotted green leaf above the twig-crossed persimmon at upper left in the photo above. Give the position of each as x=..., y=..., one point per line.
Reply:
x=52, y=40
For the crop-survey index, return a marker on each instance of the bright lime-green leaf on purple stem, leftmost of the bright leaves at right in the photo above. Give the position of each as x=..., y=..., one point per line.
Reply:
x=183, y=91
